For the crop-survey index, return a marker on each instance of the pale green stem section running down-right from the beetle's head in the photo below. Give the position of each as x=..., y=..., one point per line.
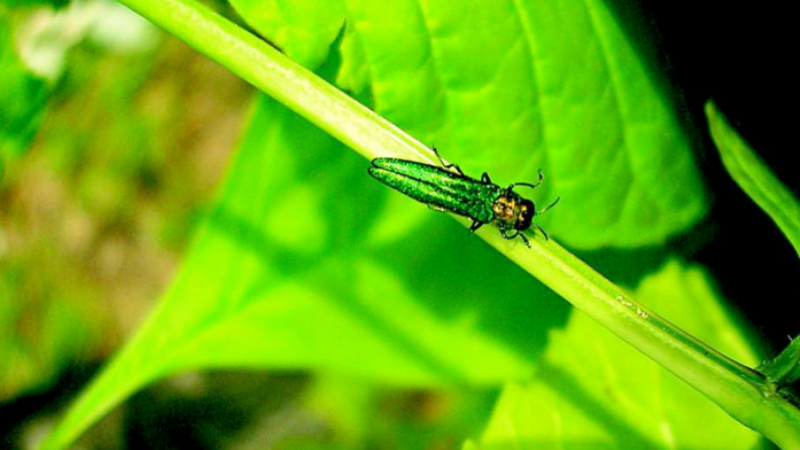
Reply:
x=742, y=392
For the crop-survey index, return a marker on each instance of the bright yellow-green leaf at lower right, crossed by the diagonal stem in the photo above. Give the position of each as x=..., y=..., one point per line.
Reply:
x=591, y=390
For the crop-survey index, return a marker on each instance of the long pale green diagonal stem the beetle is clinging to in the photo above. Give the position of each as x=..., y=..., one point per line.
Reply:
x=744, y=393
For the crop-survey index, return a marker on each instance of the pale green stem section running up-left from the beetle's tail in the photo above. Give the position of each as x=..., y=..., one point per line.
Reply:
x=270, y=71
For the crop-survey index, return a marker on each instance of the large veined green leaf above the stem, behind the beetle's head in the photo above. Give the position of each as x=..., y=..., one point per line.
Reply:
x=511, y=86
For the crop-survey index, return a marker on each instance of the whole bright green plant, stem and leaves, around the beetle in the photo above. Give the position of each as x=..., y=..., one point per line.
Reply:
x=285, y=282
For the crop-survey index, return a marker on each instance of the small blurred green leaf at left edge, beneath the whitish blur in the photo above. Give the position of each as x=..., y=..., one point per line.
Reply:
x=23, y=98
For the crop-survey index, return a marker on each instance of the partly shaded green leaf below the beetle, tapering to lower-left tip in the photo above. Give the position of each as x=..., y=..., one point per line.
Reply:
x=282, y=275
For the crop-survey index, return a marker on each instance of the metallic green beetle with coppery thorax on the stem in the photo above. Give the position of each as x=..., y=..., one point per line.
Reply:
x=447, y=188
